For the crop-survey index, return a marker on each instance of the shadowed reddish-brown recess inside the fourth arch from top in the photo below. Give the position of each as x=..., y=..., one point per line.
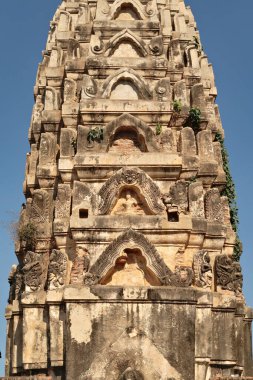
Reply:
x=127, y=140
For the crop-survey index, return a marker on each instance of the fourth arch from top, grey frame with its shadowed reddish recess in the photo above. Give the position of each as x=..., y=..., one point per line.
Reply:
x=140, y=133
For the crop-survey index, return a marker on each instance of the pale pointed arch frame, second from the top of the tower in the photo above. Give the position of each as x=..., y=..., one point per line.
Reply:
x=124, y=35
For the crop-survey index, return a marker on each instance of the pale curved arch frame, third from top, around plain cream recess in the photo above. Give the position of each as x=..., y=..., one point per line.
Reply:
x=129, y=75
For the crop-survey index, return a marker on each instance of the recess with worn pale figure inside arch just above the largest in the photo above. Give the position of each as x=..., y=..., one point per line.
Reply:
x=128, y=203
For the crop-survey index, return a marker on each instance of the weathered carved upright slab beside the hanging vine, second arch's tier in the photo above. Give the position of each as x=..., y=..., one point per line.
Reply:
x=213, y=206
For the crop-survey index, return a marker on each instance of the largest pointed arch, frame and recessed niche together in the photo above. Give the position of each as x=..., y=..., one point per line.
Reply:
x=132, y=249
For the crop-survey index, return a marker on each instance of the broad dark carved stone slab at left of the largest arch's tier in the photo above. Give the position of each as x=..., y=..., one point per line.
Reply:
x=35, y=271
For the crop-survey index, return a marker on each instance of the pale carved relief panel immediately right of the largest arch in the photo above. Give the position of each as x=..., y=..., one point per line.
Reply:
x=202, y=270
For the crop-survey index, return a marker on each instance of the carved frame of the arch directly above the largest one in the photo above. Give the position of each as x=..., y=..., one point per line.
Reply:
x=134, y=180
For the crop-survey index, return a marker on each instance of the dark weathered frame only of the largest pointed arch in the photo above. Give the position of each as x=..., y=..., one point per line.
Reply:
x=130, y=239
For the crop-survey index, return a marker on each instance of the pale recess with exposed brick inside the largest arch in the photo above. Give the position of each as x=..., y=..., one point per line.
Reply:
x=130, y=269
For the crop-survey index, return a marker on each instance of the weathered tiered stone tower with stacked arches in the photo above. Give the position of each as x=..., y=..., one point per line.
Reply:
x=125, y=243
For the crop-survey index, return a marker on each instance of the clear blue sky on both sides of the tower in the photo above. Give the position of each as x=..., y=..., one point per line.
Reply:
x=226, y=34
